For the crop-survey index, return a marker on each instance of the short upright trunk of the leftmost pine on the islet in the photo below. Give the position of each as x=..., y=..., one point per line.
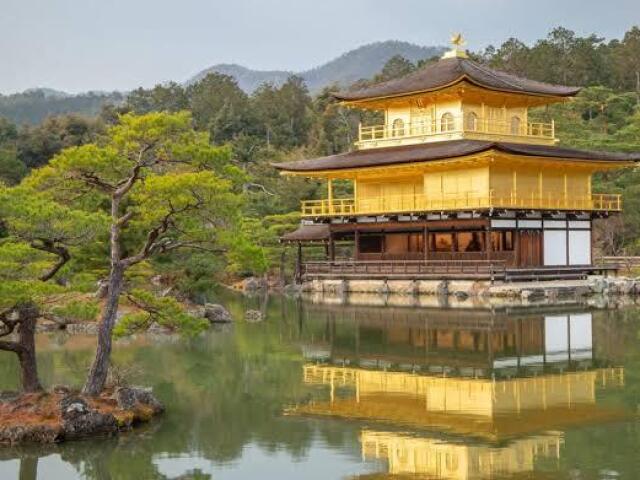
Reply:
x=27, y=352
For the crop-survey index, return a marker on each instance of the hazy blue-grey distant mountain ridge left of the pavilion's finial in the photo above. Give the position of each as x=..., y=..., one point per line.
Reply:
x=363, y=62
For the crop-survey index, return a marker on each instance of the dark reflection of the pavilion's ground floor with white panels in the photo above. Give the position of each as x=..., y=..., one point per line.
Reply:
x=464, y=343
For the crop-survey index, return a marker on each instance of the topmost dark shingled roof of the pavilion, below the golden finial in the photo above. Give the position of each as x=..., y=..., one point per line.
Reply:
x=450, y=71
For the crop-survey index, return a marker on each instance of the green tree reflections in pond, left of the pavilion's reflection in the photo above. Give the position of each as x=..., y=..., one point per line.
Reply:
x=223, y=391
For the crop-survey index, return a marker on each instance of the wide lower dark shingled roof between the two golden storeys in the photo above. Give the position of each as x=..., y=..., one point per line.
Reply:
x=423, y=152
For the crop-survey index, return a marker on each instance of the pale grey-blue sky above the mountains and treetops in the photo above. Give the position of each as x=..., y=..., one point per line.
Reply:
x=80, y=45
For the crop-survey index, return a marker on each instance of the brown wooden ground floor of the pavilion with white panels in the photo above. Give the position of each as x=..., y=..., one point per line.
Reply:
x=468, y=245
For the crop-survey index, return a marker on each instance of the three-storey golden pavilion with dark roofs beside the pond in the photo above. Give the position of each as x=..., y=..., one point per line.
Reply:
x=458, y=182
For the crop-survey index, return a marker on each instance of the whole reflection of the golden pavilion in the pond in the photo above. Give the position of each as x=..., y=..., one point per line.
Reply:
x=476, y=394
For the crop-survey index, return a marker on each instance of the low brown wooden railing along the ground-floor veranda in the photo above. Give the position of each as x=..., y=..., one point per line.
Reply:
x=489, y=269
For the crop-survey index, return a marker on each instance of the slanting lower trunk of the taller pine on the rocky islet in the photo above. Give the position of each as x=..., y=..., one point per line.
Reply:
x=100, y=367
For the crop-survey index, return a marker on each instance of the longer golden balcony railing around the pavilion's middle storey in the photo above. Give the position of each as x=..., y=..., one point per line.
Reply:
x=420, y=203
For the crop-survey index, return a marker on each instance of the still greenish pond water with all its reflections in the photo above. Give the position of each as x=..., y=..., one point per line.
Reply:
x=357, y=391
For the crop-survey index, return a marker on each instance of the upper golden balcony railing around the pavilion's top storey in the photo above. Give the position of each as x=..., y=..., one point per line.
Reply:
x=453, y=125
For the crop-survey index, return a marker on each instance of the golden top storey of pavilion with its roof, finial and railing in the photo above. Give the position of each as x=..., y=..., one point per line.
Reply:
x=456, y=98
